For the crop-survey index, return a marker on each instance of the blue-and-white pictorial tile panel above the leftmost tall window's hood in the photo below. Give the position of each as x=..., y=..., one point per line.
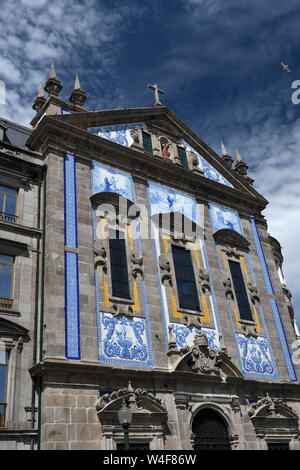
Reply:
x=107, y=179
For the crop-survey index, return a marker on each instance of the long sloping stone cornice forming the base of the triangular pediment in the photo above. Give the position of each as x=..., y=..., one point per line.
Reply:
x=70, y=139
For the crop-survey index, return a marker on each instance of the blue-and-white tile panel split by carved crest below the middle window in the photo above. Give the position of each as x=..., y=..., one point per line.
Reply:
x=185, y=336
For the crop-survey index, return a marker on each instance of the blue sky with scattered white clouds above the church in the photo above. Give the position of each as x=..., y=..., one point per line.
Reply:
x=217, y=61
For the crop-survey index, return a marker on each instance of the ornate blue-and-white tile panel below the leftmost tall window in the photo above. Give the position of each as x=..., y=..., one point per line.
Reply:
x=123, y=341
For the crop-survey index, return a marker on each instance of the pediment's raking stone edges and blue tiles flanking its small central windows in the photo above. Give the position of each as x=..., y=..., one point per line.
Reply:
x=118, y=125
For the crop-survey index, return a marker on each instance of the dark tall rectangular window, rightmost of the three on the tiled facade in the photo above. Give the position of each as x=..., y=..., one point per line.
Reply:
x=240, y=291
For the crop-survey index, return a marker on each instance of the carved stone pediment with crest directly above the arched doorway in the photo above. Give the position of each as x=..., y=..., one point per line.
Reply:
x=202, y=360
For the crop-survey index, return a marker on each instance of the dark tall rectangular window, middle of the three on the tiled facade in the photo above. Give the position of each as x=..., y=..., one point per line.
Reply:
x=185, y=279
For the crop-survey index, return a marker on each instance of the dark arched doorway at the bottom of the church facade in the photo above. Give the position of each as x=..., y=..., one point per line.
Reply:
x=210, y=431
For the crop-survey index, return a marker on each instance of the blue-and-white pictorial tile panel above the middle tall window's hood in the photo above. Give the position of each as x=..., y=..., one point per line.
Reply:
x=164, y=199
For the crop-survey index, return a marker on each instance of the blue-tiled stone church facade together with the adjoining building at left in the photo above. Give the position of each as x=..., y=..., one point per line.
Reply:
x=137, y=268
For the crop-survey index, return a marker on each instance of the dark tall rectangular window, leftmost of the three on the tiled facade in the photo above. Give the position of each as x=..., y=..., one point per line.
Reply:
x=118, y=264
